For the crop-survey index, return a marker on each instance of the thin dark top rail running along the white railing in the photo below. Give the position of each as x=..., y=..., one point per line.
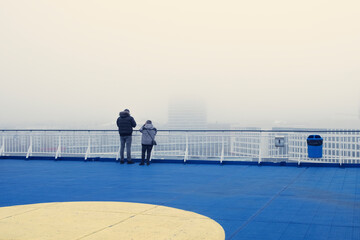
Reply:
x=199, y=130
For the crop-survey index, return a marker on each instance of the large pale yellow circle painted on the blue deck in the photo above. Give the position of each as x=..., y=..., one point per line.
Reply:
x=104, y=220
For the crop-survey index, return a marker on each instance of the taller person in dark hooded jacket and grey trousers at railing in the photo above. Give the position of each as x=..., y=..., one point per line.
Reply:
x=125, y=123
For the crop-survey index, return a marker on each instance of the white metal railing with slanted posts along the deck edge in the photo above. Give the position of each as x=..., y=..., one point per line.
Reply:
x=339, y=146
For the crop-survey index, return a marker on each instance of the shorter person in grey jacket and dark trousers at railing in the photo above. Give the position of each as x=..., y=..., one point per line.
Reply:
x=147, y=141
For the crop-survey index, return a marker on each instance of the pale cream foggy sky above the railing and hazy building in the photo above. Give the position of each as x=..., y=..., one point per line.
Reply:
x=81, y=62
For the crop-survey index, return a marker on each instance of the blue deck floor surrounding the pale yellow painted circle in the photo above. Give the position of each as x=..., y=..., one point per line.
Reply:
x=250, y=202
